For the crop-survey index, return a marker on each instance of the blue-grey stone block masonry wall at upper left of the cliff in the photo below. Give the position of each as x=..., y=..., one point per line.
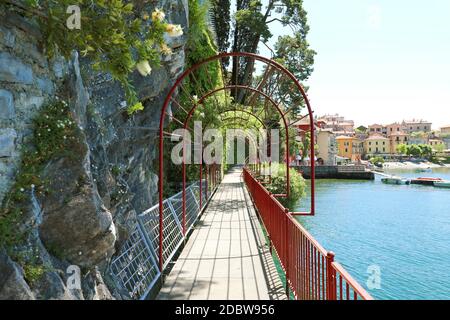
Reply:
x=27, y=79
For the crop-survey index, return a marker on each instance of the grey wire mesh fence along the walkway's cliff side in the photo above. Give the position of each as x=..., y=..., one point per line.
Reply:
x=135, y=268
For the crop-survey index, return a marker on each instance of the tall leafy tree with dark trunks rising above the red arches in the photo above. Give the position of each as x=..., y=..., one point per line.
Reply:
x=252, y=24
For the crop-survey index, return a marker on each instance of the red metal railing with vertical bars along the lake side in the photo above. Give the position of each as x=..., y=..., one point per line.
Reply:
x=311, y=272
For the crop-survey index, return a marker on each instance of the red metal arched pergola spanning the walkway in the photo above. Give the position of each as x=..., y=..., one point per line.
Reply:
x=270, y=66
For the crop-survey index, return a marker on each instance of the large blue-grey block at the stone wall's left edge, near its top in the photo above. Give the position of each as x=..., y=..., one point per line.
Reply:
x=14, y=70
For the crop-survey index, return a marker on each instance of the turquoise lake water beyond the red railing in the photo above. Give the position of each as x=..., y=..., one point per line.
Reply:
x=404, y=230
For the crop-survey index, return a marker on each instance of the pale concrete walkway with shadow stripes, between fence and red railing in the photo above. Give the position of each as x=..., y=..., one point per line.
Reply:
x=226, y=256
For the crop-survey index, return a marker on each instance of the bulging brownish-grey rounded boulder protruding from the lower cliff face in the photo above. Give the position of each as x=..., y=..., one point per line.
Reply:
x=75, y=220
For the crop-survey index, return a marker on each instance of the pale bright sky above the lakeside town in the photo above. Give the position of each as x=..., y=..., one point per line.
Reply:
x=379, y=61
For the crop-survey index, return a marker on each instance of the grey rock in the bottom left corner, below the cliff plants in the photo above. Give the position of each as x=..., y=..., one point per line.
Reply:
x=12, y=283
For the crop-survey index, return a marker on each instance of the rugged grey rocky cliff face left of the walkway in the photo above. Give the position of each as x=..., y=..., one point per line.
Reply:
x=97, y=192
